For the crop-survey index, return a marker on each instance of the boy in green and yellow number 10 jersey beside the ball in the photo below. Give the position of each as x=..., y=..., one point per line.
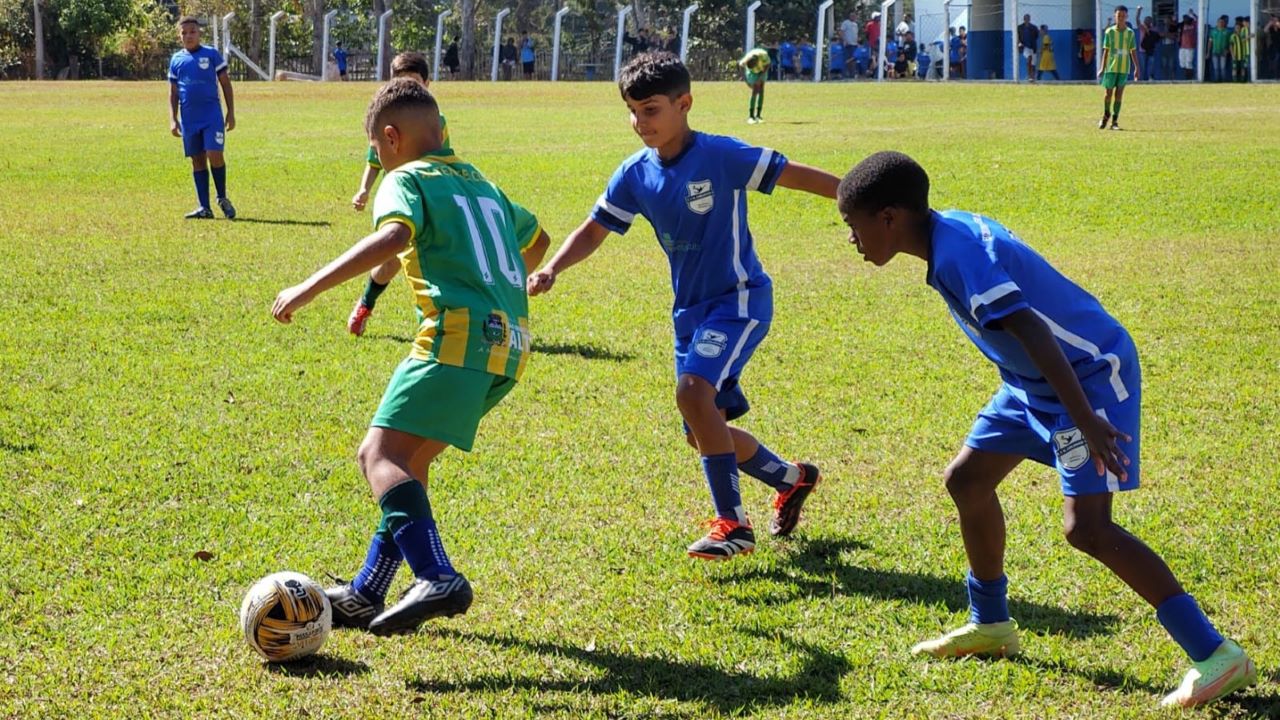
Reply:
x=467, y=250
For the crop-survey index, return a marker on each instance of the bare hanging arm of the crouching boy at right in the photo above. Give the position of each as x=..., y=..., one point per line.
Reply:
x=1043, y=348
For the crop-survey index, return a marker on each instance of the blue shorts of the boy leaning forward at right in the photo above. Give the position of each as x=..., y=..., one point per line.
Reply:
x=1008, y=426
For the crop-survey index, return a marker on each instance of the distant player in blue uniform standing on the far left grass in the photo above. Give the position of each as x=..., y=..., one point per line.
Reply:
x=195, y=74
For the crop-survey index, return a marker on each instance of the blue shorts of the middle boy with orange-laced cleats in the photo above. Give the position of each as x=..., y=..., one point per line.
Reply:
x=717, y=352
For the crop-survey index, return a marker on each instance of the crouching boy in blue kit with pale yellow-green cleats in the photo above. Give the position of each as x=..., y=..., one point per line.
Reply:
x=1071, y=400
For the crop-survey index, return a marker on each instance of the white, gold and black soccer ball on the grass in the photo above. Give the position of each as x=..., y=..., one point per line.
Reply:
x=286, y=617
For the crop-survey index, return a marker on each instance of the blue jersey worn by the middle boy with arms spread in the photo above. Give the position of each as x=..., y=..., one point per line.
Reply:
x=697, y=204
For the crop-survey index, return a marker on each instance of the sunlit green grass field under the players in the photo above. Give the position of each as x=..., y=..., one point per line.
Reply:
x=152, y=409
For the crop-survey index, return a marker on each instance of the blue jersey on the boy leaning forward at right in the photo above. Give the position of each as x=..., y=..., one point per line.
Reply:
x=986, y=274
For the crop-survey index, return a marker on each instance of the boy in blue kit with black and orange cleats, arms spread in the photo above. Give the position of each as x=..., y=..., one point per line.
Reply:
x=693, y=190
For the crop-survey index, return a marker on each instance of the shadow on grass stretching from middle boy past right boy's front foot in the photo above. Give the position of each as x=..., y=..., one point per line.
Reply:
x=825, y=575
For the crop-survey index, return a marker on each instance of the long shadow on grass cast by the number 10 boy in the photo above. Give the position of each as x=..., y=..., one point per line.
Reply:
x=730, y=692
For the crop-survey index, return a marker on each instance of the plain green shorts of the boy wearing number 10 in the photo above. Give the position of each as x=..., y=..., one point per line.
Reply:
x=441, y=403
